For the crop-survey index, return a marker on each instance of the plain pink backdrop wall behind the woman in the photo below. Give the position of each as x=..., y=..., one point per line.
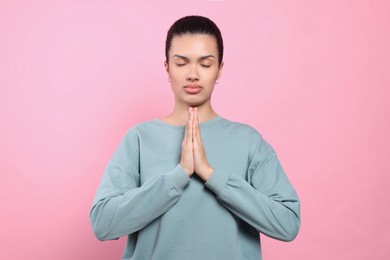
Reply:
x=311, y=76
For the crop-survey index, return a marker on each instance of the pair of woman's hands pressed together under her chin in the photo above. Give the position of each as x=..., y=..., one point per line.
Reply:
x=193, y=156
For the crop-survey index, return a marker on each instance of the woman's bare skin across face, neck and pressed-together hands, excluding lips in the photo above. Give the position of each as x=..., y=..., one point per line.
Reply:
x=187, y=67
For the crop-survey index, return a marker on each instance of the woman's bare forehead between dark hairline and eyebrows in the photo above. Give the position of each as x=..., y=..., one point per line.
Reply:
x=193, y=45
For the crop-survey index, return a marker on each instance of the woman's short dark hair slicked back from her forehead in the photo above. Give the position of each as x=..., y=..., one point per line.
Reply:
x=194, y=24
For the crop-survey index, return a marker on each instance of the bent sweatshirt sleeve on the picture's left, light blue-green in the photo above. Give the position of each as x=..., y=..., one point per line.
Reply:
x=121, y=206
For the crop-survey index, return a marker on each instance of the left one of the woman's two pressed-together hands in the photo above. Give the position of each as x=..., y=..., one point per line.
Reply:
x=187, y=154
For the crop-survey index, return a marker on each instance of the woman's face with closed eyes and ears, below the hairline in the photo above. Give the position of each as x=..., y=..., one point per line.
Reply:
x=193, y=60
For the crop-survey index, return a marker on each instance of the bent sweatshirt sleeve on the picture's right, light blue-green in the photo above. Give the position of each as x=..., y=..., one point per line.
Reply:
x=266, y=200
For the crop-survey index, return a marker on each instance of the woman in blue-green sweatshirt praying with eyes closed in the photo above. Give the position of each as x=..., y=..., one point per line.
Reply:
x=194, y=185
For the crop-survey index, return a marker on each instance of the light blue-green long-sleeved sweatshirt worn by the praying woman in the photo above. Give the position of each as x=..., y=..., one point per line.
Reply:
x=145, y=194
